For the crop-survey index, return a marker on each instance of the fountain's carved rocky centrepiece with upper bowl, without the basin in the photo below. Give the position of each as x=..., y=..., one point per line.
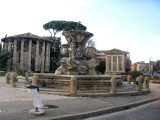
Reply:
x=76, y=63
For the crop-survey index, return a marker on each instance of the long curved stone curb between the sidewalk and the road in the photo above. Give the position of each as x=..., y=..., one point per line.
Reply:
x=100, y=111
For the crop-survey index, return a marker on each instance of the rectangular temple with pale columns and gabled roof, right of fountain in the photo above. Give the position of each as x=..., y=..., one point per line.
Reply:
x=117, y=61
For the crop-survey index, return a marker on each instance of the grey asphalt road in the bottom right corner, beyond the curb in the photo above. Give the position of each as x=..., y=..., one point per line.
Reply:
x=149, y=111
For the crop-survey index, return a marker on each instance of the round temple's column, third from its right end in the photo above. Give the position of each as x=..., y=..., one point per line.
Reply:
x=37, y=56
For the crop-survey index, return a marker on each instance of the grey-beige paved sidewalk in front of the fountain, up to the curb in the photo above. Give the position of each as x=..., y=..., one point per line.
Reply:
x=20, y=102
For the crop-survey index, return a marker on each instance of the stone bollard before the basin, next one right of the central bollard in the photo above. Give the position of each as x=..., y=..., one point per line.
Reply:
x=113, y=88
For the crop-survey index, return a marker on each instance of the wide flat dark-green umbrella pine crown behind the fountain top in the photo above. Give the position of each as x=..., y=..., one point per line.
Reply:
x=56, y=26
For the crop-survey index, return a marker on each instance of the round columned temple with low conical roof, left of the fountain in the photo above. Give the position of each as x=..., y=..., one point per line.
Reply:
x=30, y=52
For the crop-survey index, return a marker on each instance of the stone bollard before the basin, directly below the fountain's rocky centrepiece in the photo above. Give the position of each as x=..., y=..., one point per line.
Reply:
x=73, y=87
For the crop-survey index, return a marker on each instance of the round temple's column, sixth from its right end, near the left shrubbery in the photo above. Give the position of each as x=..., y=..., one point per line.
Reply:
x=15, y=55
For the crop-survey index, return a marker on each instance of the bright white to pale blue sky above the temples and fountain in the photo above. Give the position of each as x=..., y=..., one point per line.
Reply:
x=128, y=25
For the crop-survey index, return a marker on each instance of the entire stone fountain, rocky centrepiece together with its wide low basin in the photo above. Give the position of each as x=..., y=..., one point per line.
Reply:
x=77, y=66
